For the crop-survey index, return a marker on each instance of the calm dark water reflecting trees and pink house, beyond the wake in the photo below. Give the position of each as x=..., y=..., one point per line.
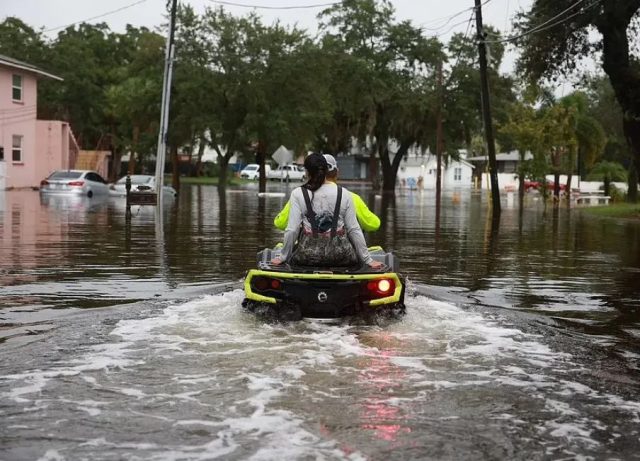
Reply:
x=76, y=251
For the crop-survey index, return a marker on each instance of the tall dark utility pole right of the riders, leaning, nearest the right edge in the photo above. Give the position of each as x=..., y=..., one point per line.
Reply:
x=486, y=112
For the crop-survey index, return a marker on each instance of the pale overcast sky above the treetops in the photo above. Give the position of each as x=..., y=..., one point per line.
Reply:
x=435, y=16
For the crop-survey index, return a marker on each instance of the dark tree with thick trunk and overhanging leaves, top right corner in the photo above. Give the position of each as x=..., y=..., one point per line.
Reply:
x=555, y=34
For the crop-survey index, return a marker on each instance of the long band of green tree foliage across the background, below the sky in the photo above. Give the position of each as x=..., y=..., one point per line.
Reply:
x=242, y=86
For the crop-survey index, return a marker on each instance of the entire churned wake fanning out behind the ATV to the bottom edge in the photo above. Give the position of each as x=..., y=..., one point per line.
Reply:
x=203, y=380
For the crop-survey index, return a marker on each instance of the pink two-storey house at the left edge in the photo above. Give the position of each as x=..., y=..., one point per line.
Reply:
x=30, y=149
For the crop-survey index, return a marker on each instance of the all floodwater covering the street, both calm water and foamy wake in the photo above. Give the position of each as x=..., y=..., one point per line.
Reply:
x=128, y=341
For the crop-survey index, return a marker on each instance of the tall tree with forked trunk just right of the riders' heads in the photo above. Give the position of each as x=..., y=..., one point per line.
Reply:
x=398, y=67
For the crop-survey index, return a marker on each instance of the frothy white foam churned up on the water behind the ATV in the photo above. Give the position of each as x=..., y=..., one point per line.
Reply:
x=438, y=347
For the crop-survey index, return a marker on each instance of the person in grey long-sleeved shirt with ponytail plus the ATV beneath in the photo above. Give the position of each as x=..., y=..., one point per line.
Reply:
x=324, y=268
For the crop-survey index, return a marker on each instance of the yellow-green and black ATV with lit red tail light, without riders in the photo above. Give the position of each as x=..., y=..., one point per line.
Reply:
x=293, y=292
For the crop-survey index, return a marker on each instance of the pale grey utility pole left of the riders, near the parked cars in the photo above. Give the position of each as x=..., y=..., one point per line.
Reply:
x=164, y=108
